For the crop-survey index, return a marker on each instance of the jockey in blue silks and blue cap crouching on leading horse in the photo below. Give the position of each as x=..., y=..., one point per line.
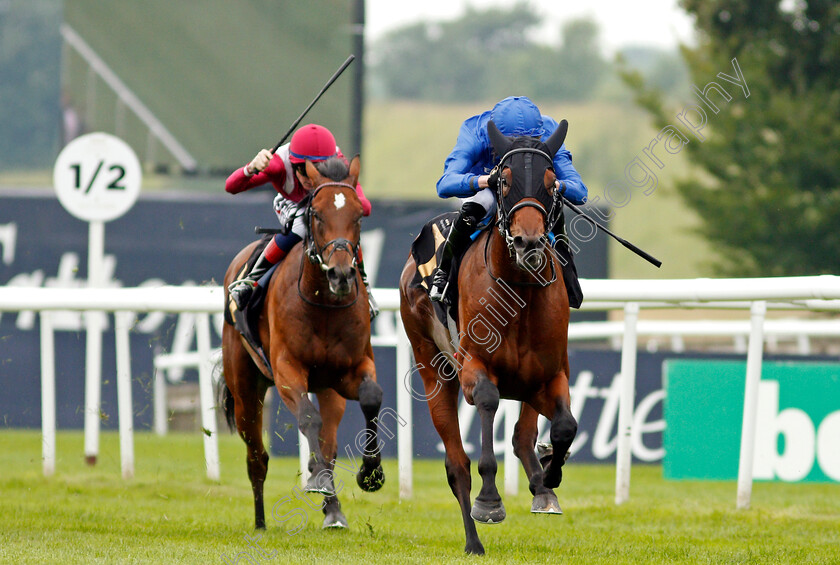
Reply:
x=467, y=175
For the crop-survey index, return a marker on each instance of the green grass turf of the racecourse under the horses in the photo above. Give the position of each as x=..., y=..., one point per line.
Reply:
x=170, y=513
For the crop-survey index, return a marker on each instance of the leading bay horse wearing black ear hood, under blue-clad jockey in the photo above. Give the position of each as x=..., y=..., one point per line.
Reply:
x=513, y=316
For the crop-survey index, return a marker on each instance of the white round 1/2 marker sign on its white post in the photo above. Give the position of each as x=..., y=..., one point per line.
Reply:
x=97, y=179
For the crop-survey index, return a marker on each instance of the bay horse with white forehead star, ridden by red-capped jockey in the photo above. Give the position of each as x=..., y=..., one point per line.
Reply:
x=314, y=328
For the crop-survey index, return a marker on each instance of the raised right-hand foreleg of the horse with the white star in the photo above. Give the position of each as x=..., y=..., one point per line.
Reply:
x=370, y=477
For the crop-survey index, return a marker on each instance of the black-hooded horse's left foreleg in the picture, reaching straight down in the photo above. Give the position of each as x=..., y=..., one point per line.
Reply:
x=488, y=507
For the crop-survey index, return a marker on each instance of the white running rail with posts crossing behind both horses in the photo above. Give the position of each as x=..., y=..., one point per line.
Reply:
x=757, y=295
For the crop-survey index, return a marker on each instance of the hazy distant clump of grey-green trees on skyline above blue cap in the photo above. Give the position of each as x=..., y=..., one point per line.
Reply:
x=489, y=54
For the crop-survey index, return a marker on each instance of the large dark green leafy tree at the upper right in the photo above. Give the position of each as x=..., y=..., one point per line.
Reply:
x=768, y=190
